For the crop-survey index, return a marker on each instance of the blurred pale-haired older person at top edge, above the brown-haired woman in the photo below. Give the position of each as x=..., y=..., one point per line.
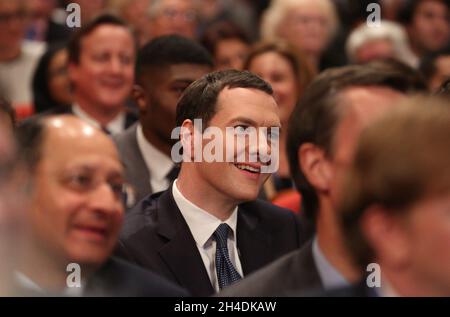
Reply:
x=307, y=24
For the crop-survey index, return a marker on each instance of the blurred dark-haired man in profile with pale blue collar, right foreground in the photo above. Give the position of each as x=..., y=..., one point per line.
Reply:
x=324, y=128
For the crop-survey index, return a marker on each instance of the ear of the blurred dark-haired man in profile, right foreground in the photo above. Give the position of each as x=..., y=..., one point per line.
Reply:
x=315, y=166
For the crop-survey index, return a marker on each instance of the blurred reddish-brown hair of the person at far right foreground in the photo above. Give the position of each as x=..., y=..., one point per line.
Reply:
x=395, y=166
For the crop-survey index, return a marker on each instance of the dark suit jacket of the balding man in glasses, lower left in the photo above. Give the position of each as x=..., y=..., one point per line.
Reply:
x=120, y=278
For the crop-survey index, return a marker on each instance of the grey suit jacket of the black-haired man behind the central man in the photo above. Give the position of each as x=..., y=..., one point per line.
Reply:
x=136, y=171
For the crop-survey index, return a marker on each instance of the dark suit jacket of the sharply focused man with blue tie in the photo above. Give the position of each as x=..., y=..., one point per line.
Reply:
x=156, y=236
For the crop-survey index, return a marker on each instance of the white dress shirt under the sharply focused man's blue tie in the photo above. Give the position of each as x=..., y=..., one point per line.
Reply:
x=202, y=225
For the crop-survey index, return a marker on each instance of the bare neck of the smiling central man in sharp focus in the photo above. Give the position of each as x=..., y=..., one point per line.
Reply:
x=202, y=195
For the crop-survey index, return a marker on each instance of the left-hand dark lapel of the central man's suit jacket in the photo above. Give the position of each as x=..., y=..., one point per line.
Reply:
x=180, y=253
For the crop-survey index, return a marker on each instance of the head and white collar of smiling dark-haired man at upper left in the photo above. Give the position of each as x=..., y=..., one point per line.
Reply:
x=101, y=70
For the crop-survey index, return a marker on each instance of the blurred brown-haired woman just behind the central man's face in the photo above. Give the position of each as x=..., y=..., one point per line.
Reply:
x=288, y=72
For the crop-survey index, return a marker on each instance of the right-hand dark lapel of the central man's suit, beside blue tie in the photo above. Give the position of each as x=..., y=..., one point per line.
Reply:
x=253, y=243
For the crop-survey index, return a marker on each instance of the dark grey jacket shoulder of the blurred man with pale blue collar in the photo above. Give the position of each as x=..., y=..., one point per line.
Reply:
x=295, y=273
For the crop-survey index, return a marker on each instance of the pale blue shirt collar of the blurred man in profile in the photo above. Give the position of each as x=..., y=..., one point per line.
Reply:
x=331, y=278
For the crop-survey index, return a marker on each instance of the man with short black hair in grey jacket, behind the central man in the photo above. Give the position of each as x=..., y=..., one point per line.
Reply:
x=165, y=67
